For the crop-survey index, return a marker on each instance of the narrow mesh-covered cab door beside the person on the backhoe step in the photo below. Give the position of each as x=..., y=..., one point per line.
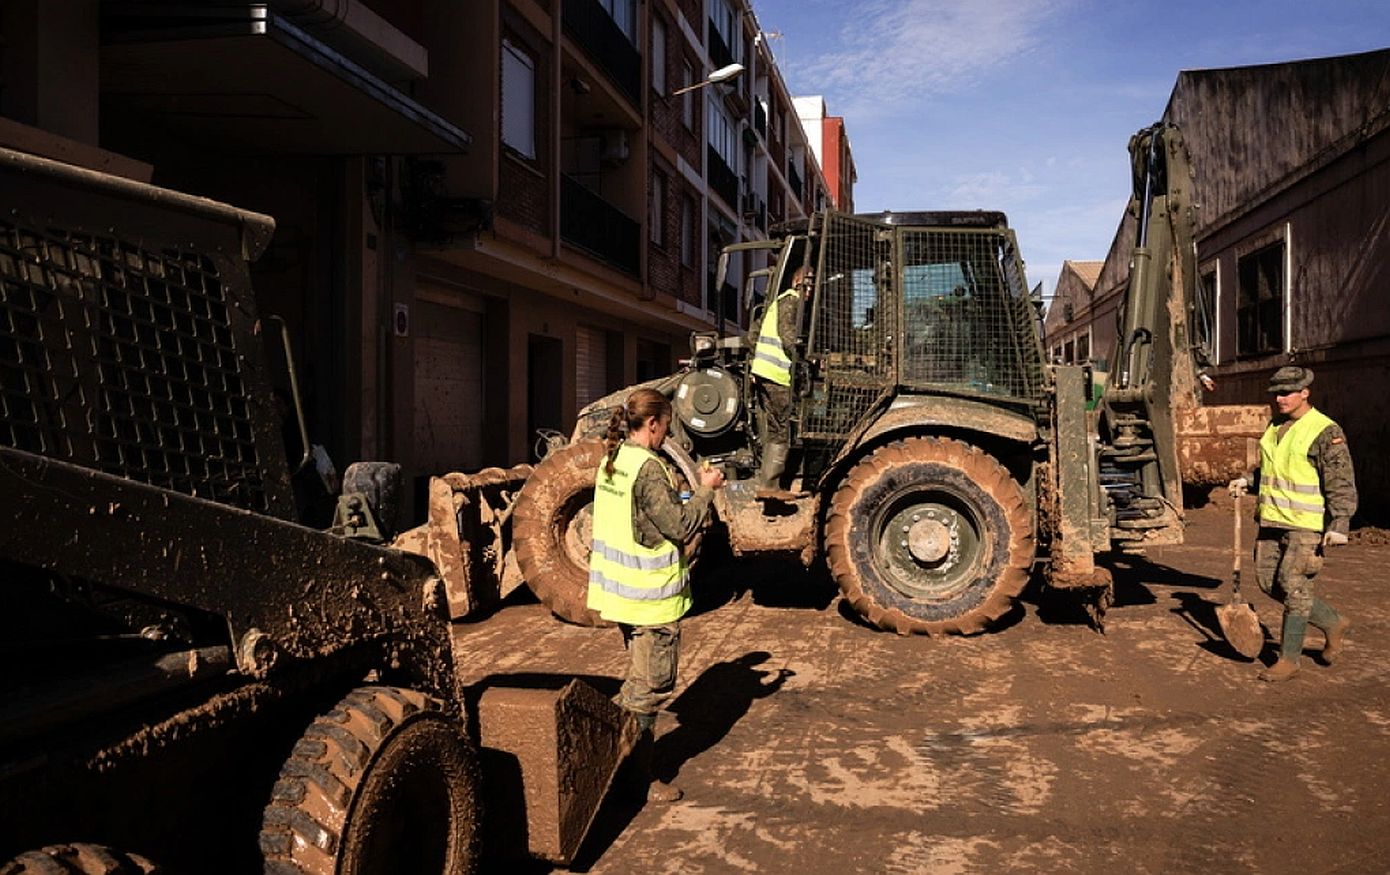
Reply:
x=851, y=326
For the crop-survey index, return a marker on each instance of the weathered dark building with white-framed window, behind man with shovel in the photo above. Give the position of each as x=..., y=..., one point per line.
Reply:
x=1292, y=177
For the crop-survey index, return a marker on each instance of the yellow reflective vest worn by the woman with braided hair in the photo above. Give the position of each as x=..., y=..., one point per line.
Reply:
x=630, y=584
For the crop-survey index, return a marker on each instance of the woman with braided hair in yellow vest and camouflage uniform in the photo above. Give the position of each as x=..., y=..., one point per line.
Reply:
x=639, y=578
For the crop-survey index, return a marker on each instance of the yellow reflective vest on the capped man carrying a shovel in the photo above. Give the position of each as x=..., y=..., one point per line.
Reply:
x=1289, y=492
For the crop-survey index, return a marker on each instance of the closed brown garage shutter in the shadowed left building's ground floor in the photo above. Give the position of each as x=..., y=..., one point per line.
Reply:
x=450, y=417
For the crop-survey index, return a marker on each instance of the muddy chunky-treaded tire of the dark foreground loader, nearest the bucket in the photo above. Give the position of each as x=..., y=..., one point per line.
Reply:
x=386, y=782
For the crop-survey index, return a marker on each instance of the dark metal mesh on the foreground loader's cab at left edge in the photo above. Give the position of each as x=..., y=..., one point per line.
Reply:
x=123, y=360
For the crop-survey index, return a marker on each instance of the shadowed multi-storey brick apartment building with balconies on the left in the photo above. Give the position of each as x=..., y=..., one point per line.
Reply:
x=489, y=214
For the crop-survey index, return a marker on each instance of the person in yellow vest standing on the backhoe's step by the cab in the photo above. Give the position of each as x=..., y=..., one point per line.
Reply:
x=772, y=380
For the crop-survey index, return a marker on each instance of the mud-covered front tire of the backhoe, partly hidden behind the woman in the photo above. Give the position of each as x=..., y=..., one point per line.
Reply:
x=553, y=528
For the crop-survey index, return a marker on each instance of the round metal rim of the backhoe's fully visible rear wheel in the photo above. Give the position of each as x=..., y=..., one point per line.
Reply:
x=929, y=543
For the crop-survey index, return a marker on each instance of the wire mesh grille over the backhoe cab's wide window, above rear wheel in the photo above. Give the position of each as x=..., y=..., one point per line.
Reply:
x=965, y=314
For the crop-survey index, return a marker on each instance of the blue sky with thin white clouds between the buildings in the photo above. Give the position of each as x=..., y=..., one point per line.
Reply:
x=1027, y=106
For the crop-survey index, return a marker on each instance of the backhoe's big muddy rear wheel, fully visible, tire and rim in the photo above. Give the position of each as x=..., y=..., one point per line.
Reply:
x=931, y=536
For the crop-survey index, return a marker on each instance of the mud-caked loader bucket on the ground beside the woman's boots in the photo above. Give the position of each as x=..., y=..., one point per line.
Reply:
x=550, y=757
